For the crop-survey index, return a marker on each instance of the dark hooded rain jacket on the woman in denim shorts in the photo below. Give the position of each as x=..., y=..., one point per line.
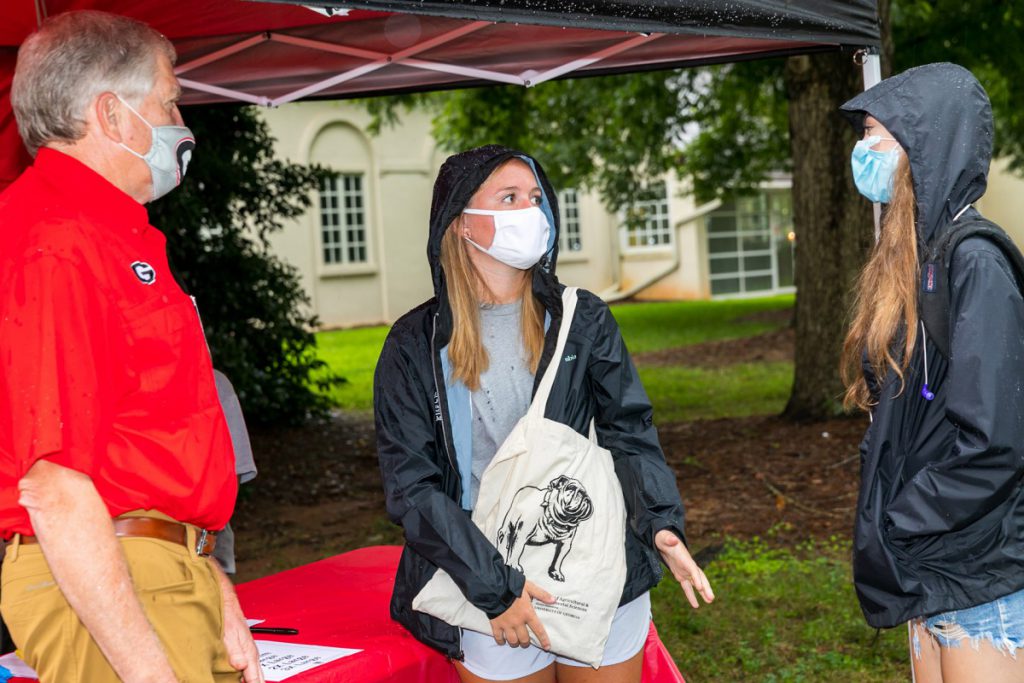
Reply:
x=941, y=520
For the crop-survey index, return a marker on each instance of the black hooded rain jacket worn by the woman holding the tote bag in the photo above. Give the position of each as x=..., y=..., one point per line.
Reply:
x=416, y=424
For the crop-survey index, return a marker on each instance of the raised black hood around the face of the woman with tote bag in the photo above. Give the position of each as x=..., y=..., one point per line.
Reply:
x=460, y=177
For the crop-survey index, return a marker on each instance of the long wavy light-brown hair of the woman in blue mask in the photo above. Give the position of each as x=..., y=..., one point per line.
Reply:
x=886, y=306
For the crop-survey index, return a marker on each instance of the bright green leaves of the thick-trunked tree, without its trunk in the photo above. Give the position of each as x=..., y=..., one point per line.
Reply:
x=724, y=127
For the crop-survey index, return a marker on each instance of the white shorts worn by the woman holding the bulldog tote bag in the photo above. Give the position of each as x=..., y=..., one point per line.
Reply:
x=488, y=660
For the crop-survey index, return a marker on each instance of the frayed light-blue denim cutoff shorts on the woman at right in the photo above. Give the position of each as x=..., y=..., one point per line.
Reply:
x=1000, y=622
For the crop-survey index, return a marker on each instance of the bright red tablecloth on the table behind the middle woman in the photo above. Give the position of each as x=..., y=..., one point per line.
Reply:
x=344, y=603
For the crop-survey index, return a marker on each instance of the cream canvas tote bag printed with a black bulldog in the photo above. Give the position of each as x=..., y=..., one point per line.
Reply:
x=552, y=505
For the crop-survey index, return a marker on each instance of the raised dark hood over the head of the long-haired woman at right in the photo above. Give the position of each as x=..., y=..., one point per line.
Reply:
x=942, y=117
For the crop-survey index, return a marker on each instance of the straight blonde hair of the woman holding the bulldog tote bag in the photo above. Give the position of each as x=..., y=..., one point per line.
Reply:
x=466, y=291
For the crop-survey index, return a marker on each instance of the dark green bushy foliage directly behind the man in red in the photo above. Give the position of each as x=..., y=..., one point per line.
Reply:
x=252, y=305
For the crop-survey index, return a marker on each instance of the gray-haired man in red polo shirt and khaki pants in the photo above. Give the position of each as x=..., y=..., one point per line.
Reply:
x=116, y=464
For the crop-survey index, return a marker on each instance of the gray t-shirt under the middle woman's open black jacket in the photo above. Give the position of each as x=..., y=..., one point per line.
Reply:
x=505, y=388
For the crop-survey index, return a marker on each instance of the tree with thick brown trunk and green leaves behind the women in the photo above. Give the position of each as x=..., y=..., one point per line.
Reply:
x=728, y=129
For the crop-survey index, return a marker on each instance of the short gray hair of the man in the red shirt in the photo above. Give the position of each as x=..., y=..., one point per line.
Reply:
x=74, y=58
